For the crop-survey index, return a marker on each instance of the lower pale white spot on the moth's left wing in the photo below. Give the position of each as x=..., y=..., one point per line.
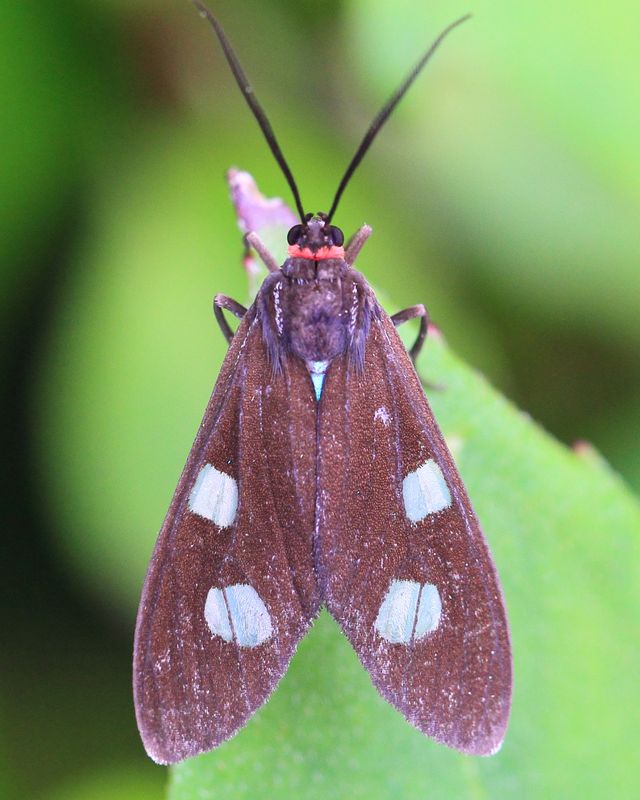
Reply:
x=237, y=614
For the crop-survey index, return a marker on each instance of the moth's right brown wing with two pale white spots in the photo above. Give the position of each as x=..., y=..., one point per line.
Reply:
x=405, y=568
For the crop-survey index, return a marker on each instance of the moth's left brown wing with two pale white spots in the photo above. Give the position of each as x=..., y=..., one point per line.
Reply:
x=231, y=587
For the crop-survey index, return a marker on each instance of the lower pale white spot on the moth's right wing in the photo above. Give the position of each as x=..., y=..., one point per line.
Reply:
x=409, y=611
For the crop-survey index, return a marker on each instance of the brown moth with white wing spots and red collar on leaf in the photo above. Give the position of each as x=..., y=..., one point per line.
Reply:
x=319, y=477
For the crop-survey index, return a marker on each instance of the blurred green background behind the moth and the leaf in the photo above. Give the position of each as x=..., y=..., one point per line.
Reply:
x=505, y=194
